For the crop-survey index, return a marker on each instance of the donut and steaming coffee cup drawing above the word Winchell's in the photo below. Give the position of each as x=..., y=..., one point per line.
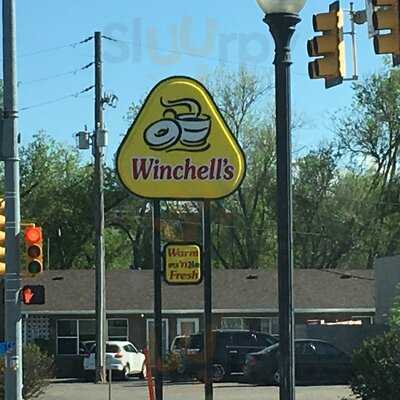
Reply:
x=190, y=129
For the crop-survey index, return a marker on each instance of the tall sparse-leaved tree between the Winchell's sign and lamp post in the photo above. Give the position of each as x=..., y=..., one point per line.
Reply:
x=243, y=234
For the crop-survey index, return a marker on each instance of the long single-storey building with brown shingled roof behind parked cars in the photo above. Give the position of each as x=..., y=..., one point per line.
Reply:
x=245, y=299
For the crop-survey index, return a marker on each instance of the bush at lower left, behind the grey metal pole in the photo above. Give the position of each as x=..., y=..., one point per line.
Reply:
x=38, y=369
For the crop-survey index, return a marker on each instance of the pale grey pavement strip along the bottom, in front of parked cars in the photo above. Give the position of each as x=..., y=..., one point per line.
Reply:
x=137, y=390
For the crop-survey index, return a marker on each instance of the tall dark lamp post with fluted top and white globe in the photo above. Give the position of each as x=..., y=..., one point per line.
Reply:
x=282, y=17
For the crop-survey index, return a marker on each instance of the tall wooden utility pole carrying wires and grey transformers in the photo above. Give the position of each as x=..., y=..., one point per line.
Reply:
x=97, y=148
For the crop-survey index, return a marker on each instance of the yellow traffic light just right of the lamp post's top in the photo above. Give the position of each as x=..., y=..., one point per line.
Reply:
x=329, y=47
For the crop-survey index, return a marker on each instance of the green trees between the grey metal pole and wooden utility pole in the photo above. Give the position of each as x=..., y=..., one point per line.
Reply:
x=56, y=194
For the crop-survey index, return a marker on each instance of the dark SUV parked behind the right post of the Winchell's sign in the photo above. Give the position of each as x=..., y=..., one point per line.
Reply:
x=229, y=349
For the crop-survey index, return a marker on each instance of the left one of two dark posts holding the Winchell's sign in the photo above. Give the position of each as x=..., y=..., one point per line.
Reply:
x=157, y=299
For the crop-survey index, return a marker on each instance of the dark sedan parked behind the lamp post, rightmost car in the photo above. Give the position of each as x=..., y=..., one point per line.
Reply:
x=316, y=362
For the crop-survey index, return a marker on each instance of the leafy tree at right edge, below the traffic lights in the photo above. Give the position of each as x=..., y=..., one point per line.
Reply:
x=369, y=136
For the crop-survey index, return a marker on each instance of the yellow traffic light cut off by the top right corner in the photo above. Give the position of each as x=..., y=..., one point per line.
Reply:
x=386, y=17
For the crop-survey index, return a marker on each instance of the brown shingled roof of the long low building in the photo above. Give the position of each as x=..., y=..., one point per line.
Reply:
x=132, y=291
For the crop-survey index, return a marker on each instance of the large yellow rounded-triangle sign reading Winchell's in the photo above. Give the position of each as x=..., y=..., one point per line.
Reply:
x=179, y=146
